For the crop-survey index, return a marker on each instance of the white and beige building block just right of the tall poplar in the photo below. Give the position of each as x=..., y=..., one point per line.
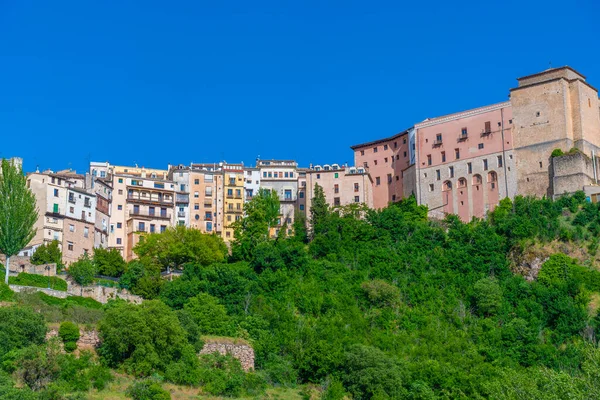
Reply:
x=67, y=213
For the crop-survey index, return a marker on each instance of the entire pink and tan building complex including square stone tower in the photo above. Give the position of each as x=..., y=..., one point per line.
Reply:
x=464, y=163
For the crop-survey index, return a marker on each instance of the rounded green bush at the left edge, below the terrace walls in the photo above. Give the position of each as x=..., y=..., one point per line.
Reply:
x=20, y=327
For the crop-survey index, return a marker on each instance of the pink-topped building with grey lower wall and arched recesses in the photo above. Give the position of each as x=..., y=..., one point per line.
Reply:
x=464, y=161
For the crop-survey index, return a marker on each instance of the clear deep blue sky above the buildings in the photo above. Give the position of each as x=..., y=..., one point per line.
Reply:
x=158, y=82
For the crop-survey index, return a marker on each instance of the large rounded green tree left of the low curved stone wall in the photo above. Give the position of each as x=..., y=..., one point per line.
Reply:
x=143, y=339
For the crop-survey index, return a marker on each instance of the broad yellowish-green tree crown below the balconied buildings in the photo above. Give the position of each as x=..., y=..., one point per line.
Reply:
x=180, y=245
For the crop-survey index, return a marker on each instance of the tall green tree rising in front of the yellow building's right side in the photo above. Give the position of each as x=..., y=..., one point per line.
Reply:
x=261, y=214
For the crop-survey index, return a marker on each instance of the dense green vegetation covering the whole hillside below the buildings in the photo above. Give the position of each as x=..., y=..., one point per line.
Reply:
x=366, y=305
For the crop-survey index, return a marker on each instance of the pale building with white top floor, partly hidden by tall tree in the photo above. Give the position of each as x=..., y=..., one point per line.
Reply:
x=282, y=177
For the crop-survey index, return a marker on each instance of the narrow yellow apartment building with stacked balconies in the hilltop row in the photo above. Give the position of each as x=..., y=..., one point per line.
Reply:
x=233, y=193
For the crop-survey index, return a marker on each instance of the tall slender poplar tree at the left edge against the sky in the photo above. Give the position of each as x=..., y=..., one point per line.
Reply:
x=18, y=212
